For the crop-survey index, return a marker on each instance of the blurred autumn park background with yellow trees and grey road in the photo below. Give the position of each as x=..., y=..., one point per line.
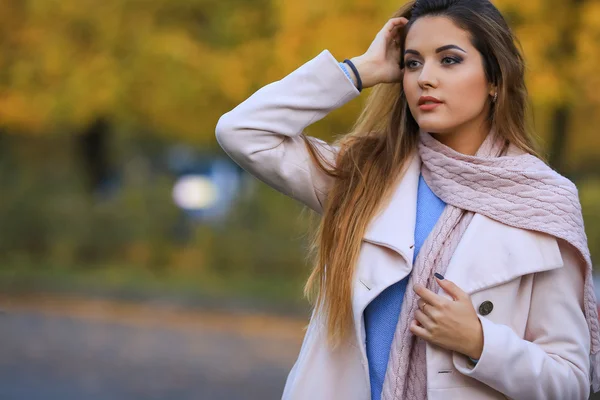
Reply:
x=136, y=260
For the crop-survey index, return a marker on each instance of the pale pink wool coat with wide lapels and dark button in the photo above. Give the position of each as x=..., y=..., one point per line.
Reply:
x=536, y=339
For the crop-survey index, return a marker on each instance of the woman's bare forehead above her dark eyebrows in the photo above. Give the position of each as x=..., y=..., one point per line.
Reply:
x=429, y=33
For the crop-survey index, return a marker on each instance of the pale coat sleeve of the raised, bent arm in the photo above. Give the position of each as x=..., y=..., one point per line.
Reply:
x=262, y=134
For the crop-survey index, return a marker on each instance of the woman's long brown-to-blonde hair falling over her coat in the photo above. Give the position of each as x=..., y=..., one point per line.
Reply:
x=373, y=155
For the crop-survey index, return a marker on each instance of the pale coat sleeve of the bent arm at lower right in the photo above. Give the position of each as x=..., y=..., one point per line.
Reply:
x=552, y=361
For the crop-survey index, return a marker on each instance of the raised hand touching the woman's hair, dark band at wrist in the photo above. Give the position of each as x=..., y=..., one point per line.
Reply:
x=380, y=63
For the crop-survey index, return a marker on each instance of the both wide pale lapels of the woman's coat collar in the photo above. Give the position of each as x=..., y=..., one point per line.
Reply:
x=490, y=252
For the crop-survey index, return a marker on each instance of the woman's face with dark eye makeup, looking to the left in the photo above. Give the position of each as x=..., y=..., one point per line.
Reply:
x=441, y=62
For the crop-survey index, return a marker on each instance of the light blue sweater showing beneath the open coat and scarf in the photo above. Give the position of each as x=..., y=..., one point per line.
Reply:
x=381, y=315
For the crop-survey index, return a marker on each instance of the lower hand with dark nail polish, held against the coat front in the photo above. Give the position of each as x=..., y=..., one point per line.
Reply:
x=451, y=324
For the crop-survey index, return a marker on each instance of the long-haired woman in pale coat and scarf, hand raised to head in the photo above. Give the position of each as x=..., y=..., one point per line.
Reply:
x=439, y=177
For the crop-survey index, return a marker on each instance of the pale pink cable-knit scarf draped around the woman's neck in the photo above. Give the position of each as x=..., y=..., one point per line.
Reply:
x=502, y=183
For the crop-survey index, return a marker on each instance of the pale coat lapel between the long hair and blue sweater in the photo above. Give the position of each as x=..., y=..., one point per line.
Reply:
x=394, y=226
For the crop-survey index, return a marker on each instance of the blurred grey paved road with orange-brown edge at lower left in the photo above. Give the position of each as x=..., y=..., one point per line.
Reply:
x=73, y=349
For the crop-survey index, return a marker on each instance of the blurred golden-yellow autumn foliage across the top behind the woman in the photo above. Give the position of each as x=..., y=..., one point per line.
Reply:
x=174, y=67
